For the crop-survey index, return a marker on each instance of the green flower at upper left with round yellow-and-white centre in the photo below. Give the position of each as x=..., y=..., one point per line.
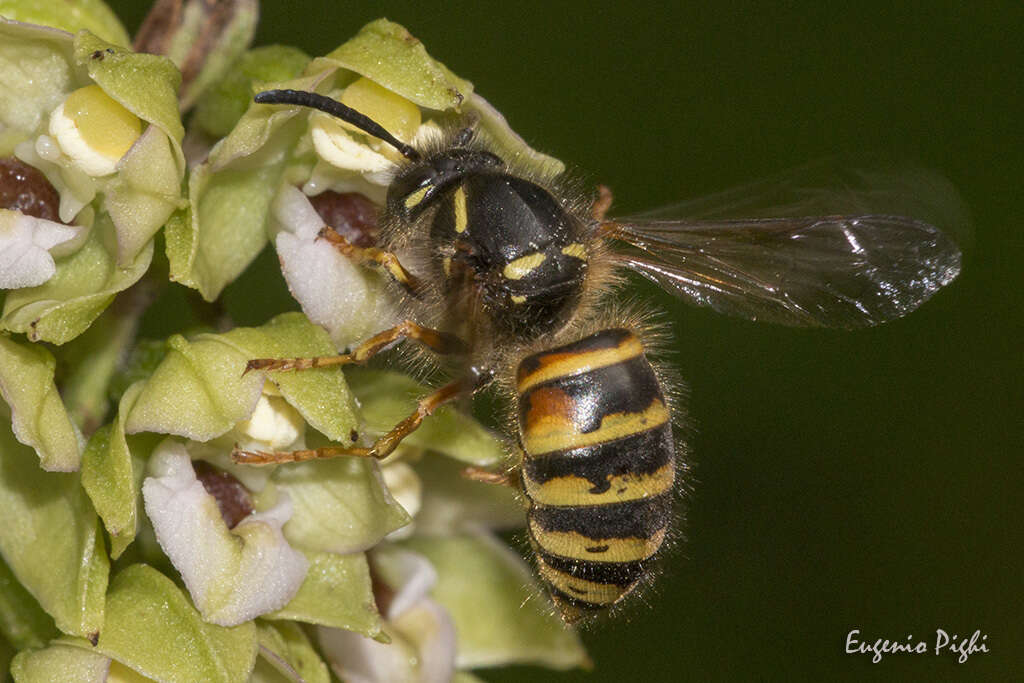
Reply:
x=102, y=125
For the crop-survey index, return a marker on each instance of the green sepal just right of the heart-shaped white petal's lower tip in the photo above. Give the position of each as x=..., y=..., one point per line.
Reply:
x=336, y=593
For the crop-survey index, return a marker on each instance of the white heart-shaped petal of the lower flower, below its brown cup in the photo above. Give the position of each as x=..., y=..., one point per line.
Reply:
x=233, y=576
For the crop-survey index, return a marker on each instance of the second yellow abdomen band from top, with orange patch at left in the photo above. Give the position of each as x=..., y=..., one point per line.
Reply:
x=549, y=433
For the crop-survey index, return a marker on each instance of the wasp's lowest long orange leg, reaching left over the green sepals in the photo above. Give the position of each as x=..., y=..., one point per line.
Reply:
x=385, y=446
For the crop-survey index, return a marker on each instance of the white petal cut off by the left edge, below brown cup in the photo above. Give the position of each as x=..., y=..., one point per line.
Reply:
x=25, y=245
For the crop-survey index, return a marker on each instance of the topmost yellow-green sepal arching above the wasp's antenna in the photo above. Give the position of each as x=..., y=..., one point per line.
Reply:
x=388, y=54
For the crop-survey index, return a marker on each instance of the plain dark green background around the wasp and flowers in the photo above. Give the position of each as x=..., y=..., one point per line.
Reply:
x=841, y=481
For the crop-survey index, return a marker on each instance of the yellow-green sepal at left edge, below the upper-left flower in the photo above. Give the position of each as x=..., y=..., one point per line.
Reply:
x=38, y=415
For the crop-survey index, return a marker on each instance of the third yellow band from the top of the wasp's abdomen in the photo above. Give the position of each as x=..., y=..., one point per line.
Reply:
x=573, y=491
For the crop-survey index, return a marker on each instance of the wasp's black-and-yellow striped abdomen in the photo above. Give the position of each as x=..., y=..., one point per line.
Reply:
x=599, y=467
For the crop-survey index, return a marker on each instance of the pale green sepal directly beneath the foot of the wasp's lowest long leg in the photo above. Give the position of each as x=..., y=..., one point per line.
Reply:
x=342, y=505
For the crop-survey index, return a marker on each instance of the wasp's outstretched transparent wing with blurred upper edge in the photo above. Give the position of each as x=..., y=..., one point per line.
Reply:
x=856, y=267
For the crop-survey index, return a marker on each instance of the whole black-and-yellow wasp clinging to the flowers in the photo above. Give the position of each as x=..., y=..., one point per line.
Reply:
x=510, y=275
